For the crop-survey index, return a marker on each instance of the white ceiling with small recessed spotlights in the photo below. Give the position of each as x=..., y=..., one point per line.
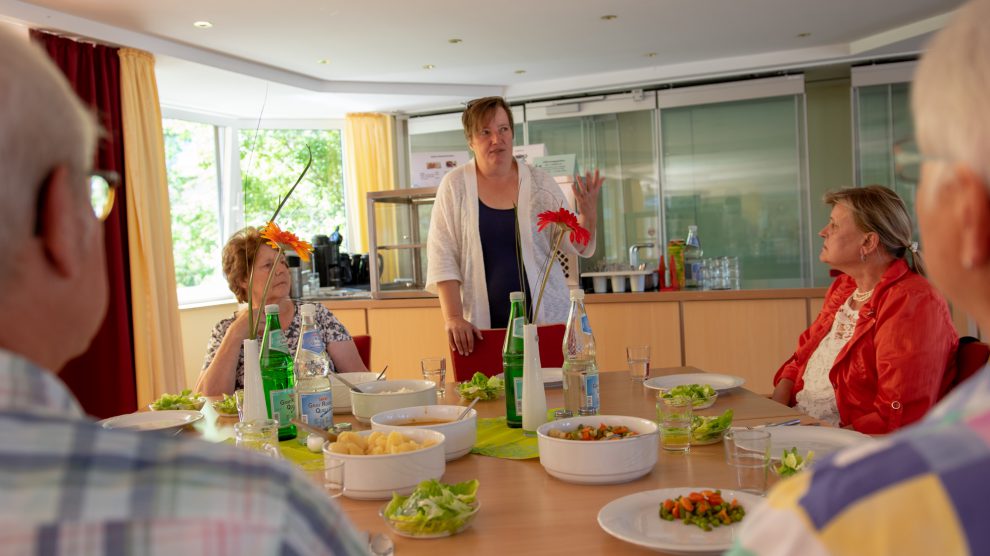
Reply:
x=261, y=56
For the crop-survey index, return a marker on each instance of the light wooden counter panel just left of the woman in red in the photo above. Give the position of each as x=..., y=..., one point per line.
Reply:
x=750, y=339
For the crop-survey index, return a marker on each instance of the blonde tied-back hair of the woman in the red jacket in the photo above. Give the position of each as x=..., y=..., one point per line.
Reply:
x=880, y=210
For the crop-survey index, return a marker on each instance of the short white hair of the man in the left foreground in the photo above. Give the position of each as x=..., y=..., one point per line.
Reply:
x=43, y=124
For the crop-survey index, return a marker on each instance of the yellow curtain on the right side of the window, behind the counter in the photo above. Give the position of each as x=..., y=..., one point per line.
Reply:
x=369, y=145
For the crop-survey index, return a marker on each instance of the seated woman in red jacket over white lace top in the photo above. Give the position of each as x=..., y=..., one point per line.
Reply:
x=874, y=358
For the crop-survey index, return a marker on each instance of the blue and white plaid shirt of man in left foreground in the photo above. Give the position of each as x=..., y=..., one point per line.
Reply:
x=68, y=486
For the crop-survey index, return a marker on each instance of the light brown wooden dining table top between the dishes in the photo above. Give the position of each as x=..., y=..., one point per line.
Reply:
x=524, y=510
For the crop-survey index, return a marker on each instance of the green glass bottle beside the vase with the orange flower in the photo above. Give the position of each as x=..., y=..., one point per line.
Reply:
x=277, y=376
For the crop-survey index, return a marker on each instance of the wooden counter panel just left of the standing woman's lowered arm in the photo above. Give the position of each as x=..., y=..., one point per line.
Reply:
x=402, y=337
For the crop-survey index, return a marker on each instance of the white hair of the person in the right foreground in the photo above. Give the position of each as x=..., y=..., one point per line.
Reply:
x=951, y=111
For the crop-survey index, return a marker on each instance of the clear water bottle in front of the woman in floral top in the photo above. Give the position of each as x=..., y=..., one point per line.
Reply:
x=314, y=400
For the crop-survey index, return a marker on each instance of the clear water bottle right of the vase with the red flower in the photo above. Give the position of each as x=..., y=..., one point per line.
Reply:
x=580, y=366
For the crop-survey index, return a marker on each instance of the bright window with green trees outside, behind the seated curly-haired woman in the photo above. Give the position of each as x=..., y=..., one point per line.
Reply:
x=213, y=193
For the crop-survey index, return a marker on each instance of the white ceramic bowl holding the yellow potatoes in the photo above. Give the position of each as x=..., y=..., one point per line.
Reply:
x=377, y=477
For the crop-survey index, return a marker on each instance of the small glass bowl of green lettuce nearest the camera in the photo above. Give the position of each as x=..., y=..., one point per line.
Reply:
x=433, y=510
